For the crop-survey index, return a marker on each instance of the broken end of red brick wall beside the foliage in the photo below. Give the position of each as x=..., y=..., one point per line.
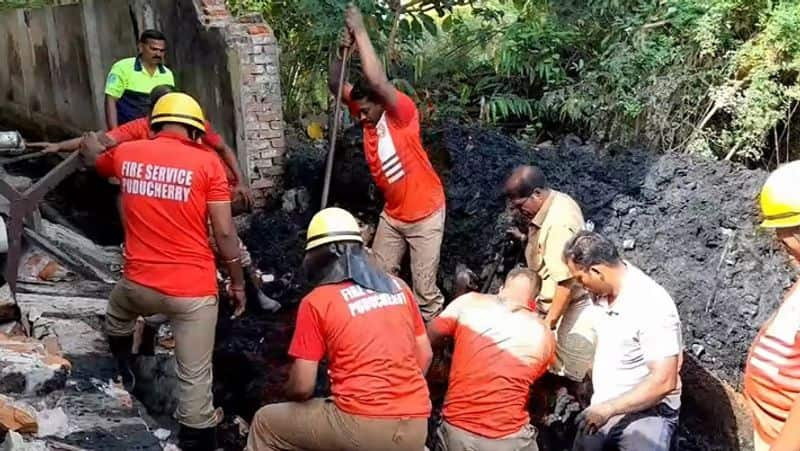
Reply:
x=259, y=125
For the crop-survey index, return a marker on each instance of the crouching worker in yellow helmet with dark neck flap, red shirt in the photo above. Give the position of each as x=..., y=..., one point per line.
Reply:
x=366, y=323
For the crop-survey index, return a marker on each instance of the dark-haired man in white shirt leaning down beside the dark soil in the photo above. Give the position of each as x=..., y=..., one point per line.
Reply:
x=636, y=371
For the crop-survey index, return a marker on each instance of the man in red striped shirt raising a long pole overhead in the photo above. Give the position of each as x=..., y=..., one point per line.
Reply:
x=414, y=213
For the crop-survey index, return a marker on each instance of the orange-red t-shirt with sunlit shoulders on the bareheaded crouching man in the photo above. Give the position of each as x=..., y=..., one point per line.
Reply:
x=498, y=354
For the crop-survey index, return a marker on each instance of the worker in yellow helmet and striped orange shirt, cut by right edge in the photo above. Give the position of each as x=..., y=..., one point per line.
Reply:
x=772, y=373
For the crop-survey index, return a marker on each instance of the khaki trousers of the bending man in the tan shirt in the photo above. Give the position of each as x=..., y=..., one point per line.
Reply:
x=575, y=340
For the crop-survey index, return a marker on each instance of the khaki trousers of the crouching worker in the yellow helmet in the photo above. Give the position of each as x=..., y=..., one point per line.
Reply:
x=318, y=424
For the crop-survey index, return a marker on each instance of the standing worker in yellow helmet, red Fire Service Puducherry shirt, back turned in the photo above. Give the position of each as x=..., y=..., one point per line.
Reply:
x=171, y=186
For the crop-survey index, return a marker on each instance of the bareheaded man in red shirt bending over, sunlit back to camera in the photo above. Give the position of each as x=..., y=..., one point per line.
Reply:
x=501, y=348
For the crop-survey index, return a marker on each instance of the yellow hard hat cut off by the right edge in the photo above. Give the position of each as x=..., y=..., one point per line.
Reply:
x=780, y=197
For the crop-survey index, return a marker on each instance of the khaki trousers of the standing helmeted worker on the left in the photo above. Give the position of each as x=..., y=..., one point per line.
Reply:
x=194, y=322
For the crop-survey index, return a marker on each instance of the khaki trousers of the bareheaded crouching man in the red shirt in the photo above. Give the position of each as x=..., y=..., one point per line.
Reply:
x=452, y=438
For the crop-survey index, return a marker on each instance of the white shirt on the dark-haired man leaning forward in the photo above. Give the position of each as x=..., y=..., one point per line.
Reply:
x=641, y=325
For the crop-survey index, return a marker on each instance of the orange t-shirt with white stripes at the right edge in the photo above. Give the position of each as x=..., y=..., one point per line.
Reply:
x=772, y=374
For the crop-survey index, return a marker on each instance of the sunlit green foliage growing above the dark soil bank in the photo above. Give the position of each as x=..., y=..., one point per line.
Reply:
x=717, y=77
